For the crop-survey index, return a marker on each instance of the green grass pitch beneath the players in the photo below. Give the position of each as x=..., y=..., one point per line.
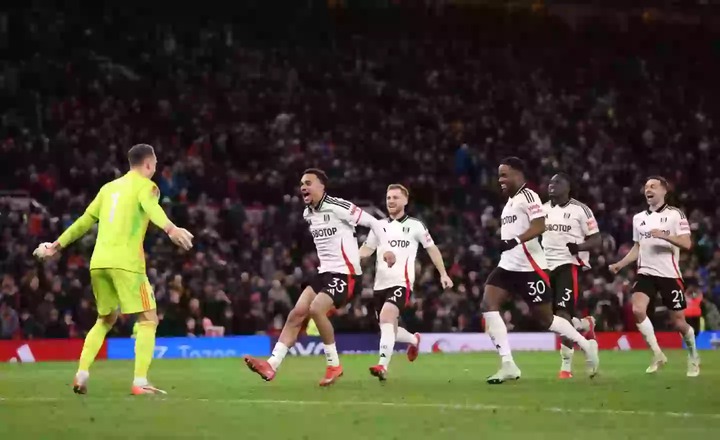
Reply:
x=437, y=397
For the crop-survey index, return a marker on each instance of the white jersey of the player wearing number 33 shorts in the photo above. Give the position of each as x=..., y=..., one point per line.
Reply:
x=332, y=226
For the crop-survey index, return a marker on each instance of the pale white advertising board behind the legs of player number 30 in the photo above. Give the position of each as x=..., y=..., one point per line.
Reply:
x=468, y=342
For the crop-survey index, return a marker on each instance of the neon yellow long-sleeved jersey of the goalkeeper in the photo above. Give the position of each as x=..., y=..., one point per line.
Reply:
x=122, y=210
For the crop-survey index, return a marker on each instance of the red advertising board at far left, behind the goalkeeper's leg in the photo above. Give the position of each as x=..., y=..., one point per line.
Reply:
x=43, y=350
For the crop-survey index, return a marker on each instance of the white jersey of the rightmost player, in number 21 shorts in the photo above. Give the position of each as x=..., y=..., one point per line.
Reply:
x=658, y=257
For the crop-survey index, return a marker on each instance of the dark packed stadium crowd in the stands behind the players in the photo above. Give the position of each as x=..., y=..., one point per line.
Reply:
x=235, y=115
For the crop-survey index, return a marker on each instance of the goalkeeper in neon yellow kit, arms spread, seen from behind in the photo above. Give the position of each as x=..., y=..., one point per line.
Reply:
x=122, y=210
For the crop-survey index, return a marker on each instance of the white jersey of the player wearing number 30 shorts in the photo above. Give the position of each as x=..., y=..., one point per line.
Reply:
x=517, y=214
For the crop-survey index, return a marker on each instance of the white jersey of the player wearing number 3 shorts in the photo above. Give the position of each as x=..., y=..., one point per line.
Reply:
x=568, y=223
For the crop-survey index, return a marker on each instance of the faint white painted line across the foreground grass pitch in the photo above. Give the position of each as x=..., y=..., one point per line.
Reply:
x=440, y=406
